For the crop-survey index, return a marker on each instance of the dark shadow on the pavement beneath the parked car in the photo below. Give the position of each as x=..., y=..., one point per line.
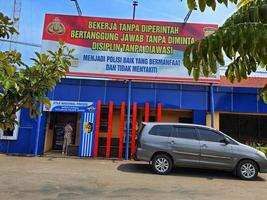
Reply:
x=142, y=168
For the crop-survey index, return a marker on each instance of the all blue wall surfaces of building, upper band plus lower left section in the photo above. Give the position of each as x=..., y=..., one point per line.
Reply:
x=190, y=97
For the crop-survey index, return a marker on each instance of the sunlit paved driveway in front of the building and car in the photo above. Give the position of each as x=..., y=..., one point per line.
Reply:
x=27, y=178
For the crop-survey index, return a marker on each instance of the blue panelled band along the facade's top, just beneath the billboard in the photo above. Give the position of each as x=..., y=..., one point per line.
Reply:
x=189, y=97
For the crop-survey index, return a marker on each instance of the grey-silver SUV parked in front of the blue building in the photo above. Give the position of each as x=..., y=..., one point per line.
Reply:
x=189, y=145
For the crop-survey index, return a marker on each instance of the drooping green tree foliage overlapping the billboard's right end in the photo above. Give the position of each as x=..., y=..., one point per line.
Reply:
x=242, y=38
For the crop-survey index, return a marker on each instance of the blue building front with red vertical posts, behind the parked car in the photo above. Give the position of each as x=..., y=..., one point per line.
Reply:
x=237, y=112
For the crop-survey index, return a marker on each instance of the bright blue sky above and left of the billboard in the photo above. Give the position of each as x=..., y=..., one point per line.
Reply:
x=33, y=13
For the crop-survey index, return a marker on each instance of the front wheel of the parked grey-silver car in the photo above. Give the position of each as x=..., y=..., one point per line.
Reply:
x=247, y=170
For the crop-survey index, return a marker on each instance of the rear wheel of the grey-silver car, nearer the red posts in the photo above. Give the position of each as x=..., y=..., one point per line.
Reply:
x=162, y=164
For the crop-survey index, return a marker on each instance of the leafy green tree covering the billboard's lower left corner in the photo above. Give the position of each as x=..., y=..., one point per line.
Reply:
x=27, y=87
